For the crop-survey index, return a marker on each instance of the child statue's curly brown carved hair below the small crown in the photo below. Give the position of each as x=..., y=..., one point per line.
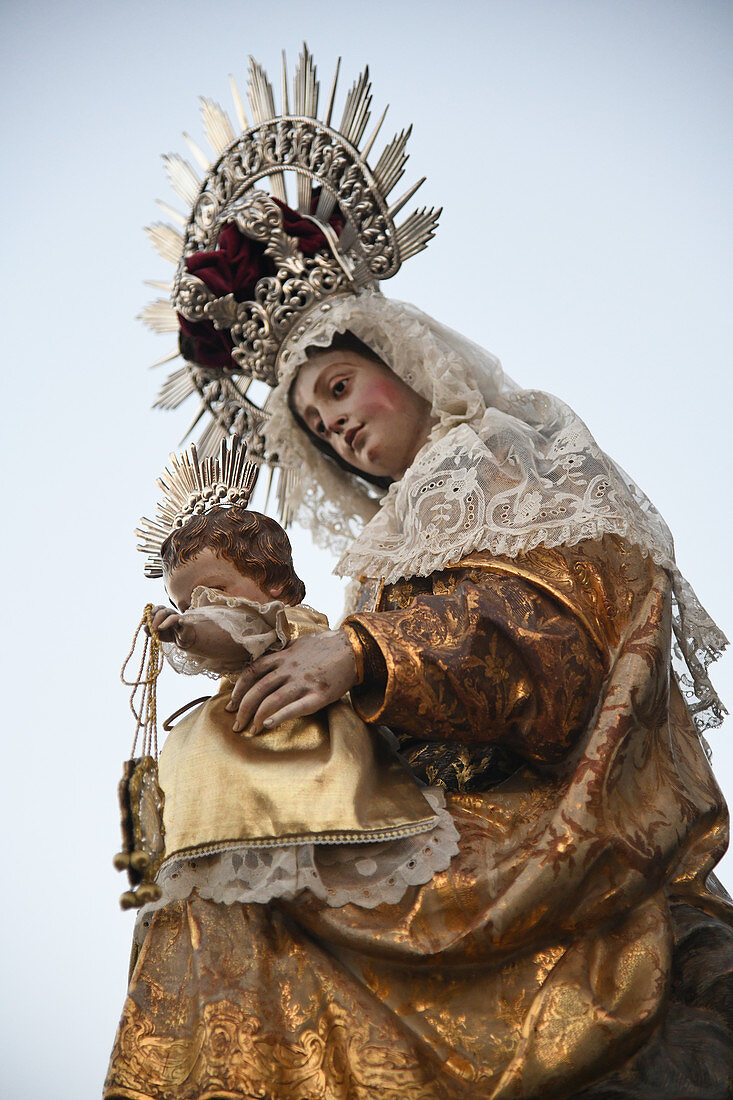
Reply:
x=255, y=544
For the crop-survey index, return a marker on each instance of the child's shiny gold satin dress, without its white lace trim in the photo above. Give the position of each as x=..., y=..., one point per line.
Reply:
x=322, y=778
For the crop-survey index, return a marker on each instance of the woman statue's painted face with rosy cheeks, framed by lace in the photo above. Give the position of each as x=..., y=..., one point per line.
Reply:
x=369, y=416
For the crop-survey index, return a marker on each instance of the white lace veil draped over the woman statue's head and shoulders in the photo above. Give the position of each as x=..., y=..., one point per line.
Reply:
x=505, y=470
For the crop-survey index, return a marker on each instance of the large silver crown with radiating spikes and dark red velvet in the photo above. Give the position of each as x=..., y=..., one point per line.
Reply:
x=341, y=239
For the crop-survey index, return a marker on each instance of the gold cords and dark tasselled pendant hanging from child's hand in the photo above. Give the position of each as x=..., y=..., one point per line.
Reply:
x=141, y=799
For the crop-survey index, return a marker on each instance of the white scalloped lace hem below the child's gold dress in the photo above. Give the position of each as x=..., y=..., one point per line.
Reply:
x=365, y=875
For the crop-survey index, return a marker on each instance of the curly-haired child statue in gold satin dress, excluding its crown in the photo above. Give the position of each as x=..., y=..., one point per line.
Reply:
x=287, y=804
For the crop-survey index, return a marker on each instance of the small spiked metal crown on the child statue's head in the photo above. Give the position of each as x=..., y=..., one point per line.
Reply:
x=191, y=487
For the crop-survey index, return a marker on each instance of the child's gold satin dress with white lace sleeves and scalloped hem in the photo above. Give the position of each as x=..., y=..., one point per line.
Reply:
x=320, y=802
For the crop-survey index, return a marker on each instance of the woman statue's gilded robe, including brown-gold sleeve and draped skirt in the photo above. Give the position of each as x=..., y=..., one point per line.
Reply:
x=540, y=962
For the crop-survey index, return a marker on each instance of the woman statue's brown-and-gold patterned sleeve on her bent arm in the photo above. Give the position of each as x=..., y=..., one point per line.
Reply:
x=486, y=657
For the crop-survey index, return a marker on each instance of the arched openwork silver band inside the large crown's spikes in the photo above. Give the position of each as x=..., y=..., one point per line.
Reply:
x=314, y=150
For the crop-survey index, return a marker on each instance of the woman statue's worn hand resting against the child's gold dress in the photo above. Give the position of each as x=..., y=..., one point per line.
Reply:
x=301, y=679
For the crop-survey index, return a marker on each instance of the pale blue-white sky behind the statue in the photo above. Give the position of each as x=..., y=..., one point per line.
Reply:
x=582, y=152
